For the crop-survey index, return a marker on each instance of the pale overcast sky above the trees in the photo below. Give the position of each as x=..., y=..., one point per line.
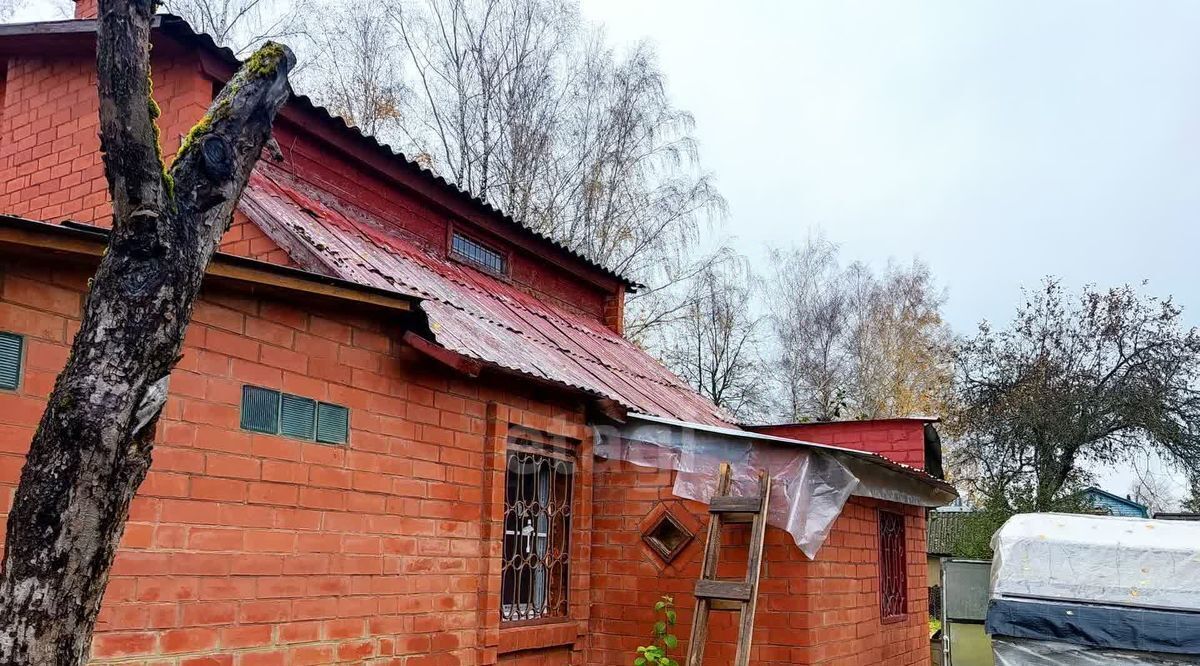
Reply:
x=999, y=141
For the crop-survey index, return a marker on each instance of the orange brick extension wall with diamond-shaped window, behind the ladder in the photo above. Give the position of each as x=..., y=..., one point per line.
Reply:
x=826, y=611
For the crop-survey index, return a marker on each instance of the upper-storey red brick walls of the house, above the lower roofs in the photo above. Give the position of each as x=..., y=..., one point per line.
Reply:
x=50, y=154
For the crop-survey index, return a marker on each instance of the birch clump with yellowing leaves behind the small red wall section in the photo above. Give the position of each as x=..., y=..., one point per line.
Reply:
x=850, y=344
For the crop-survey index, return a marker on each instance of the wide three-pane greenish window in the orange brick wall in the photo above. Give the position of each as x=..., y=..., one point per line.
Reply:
x=277, y=413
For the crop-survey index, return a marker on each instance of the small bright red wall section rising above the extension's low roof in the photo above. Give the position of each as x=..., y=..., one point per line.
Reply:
x=898, y=440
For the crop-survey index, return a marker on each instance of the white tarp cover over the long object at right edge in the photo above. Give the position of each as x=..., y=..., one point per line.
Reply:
x=1100, y=560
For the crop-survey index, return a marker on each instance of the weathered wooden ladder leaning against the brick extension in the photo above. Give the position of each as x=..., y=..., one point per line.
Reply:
x=713, y=595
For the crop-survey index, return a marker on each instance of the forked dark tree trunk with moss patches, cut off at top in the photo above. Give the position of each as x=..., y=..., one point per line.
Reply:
x=92, y=449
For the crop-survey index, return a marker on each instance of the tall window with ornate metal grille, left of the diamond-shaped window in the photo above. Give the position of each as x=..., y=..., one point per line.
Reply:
x=537, y=532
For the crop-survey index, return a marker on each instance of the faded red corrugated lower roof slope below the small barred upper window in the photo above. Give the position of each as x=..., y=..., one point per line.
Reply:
x=470, y=313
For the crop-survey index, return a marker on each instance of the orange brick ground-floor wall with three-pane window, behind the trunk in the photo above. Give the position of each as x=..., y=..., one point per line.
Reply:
x=245, y=549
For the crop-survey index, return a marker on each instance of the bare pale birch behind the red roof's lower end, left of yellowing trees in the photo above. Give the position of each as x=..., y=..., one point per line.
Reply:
x=716, y=343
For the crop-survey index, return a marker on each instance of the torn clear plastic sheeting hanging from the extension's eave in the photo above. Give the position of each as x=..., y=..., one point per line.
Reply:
x=811, y=484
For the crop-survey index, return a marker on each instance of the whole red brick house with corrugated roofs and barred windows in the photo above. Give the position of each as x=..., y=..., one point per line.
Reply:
x=379, y=446
